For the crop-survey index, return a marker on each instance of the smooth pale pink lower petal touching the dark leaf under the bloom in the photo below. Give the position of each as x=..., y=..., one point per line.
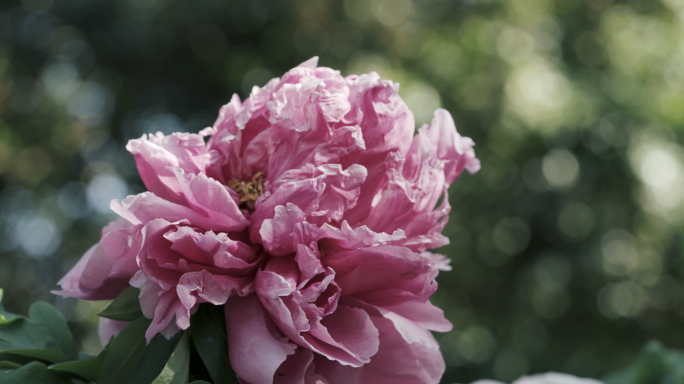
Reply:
x=255, y=345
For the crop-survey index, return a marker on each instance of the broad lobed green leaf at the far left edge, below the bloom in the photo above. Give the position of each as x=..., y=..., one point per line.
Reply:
x=44, y=329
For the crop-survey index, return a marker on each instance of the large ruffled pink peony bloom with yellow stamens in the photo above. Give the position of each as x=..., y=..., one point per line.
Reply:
x=308, y=213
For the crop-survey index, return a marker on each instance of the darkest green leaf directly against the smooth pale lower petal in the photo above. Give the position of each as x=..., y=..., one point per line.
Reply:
x=209, y=335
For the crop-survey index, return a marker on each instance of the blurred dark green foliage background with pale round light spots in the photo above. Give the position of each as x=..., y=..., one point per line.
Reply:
x=565, y=247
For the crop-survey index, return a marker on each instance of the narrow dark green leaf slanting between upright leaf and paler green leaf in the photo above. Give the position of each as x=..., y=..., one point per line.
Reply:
x=153, y=360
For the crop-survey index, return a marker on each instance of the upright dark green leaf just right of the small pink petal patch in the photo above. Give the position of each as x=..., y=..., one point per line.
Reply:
x=125, y=351
